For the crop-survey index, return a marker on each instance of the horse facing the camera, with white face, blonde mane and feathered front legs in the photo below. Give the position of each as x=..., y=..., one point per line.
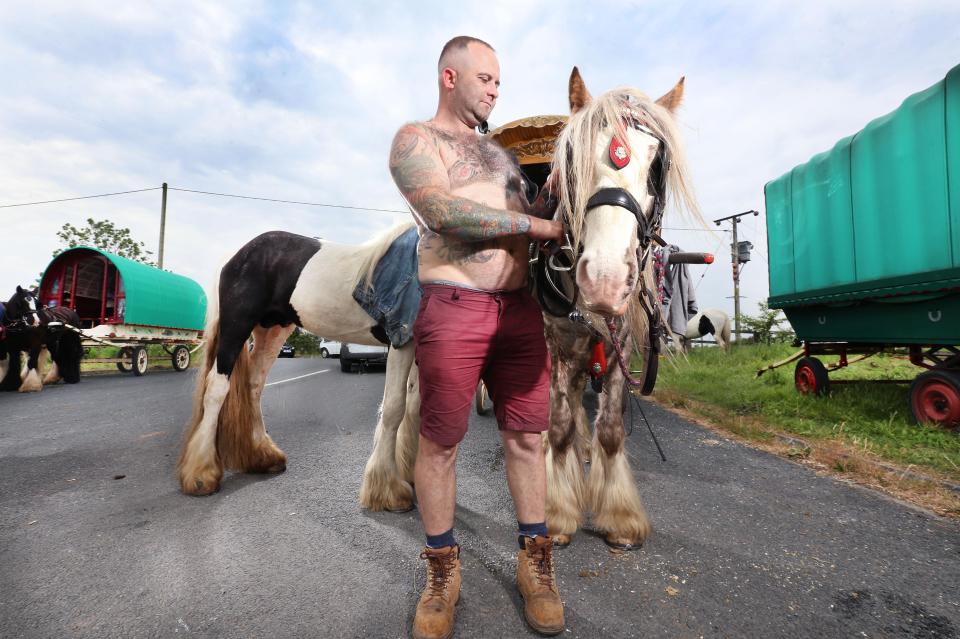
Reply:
x=617, y=161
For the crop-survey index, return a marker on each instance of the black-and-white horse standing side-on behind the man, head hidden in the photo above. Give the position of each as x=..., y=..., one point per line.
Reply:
x=275, y=282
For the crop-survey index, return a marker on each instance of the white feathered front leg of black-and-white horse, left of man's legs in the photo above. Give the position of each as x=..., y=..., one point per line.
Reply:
x=383, y=488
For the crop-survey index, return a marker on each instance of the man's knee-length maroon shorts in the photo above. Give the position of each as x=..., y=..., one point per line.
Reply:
x=463, y=336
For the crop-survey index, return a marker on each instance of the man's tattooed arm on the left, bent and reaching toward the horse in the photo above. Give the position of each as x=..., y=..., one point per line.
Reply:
x=422, y=178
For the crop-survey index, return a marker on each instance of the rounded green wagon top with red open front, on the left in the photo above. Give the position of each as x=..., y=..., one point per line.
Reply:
x=108, y=289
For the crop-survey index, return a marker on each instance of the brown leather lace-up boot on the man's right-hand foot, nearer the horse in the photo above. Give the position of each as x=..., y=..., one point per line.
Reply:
x=537, y=582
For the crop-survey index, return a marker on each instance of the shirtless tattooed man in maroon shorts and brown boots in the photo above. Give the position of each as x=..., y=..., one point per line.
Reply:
x=476, y=321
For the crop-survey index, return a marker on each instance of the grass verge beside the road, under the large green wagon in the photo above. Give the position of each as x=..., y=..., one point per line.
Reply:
x=861, y=431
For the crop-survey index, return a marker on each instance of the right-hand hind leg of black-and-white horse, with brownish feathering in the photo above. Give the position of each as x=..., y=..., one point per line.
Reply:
x=264, y=456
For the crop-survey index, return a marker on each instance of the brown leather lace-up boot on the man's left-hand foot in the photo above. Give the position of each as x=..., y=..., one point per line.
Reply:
x=434, y=618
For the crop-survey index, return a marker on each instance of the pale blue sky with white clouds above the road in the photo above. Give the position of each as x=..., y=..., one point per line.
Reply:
x=299, y=101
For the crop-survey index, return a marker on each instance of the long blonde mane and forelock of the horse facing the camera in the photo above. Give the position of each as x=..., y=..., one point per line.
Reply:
x=574, y=161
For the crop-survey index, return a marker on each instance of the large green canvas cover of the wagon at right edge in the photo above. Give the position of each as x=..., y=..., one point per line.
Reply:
x=878, y=214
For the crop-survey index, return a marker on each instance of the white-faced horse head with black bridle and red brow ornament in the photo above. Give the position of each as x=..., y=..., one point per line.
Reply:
x=616, y=161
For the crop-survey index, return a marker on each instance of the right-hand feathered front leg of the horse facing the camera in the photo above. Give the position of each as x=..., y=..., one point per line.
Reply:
x=614, y=499
